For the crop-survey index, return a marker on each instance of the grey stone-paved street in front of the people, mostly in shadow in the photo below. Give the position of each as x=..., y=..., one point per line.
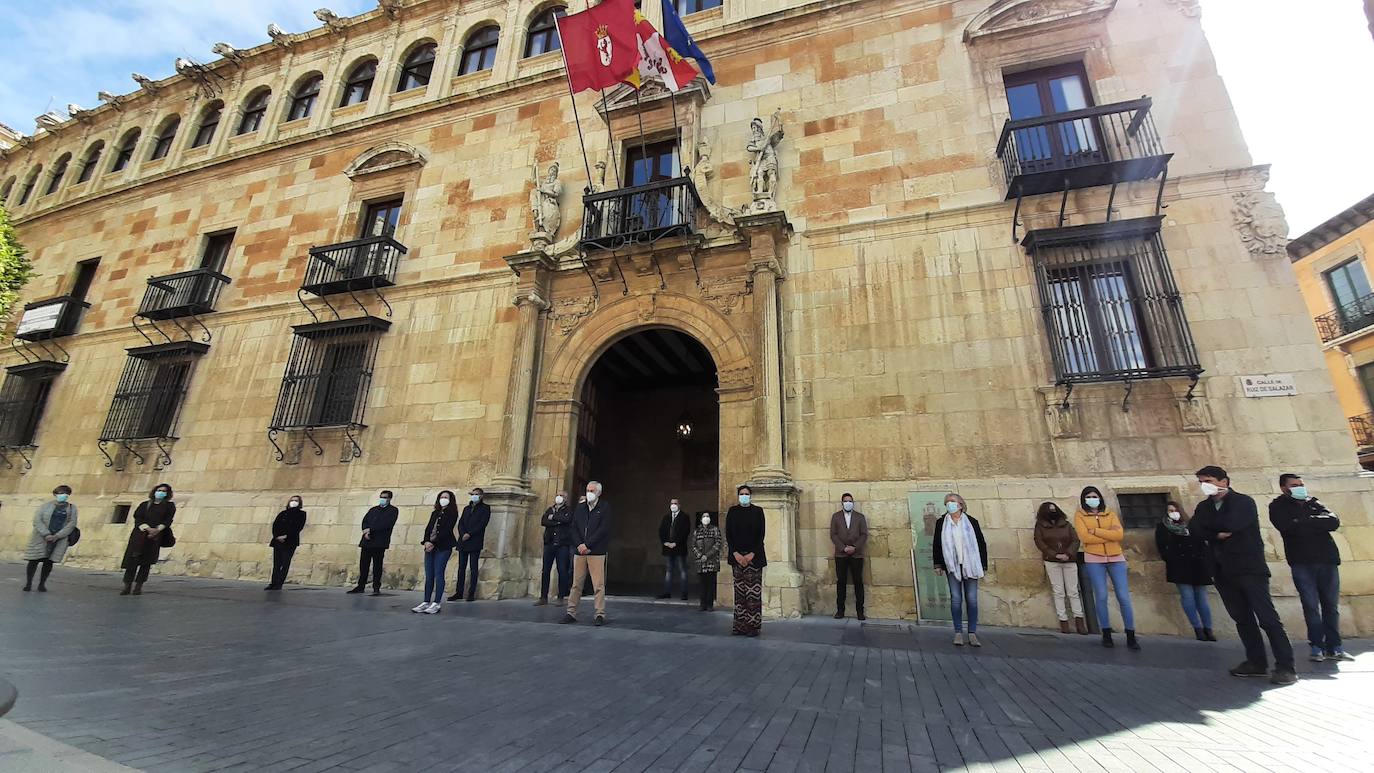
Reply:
x=205, y=675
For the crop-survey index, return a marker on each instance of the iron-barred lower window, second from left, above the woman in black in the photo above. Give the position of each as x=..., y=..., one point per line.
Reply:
x=152, y=391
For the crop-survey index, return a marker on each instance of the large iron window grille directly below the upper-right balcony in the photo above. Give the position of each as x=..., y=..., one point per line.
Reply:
x=1111, y=305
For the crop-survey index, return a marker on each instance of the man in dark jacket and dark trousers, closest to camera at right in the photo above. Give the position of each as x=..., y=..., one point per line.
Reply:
x=1230, y=524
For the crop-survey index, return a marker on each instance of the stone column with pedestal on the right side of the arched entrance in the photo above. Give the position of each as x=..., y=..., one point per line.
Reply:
x=772, y=484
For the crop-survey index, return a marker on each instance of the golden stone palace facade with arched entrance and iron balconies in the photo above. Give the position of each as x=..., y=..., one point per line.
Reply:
x=362, y=286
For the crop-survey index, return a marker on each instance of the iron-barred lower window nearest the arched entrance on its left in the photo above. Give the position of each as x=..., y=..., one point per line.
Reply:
x=328, y=374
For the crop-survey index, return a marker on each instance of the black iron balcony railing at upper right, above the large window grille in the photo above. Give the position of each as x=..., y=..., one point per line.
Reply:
x=1081, y=149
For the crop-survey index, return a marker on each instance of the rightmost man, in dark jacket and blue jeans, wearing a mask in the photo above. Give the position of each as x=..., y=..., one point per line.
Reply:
x=1314, y=559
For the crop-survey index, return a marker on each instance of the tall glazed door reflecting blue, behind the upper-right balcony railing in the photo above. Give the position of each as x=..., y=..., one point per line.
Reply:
x=1061, y=145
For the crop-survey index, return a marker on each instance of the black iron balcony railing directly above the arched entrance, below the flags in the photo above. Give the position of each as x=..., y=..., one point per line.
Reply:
x=642, y=215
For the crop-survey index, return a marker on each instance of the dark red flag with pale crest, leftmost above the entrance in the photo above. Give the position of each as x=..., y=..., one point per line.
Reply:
x=600, y=46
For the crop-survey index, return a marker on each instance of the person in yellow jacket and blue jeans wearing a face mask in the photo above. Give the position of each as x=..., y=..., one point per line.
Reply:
x=1101, y=533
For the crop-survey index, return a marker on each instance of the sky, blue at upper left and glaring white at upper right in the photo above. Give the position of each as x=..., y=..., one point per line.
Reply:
x=1299, y=80
